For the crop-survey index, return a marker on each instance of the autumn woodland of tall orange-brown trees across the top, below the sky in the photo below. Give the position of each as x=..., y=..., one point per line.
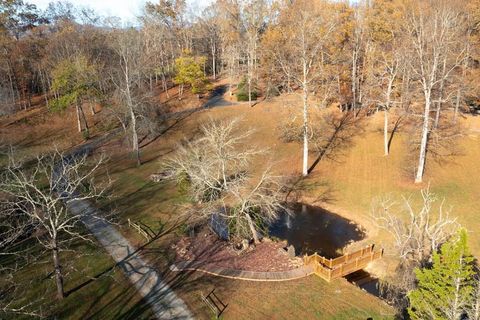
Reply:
x=417, y=57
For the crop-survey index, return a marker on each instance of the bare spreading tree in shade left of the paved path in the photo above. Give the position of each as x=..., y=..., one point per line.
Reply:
x=37, y=199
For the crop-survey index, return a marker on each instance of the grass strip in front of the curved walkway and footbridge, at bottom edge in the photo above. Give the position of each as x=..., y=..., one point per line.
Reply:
x=307, y=298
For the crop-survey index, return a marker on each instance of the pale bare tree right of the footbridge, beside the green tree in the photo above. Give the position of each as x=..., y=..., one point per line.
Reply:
x=416, y=235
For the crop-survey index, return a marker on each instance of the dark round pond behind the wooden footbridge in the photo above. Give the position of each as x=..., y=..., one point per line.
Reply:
x=313, y=229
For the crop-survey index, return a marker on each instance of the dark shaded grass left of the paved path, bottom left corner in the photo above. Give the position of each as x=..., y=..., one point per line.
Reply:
x=96, y=289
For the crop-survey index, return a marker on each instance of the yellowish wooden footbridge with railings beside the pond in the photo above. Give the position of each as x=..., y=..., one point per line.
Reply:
x=330, y=269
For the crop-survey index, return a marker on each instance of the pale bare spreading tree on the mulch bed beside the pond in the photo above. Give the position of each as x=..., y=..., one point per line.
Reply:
x=218, y=169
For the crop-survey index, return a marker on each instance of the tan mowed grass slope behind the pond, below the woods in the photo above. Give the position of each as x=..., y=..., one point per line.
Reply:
x=351, y=183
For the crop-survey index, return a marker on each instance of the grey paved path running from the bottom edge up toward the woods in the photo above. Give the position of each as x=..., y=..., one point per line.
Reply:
x=162, y=299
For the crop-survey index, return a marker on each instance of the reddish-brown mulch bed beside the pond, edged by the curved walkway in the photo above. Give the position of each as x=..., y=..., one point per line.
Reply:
x=206, y=249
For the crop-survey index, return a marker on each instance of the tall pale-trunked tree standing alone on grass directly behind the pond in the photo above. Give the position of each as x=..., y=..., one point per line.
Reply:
x=301, y=51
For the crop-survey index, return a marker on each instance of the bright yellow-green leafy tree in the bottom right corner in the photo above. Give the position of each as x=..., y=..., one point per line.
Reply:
x=444, y=290
